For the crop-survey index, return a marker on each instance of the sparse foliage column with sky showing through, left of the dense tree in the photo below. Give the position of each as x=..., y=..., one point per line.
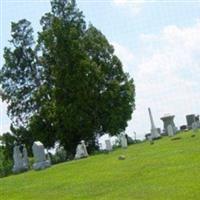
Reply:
x=19, y=75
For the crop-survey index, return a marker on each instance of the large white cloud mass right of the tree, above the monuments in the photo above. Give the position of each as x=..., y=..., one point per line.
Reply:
x=167, y=77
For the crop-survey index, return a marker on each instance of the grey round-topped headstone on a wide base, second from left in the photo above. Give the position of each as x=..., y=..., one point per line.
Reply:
x=40, y=161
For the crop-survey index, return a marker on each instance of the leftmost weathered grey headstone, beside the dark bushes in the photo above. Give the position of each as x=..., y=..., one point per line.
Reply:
x=20, y=158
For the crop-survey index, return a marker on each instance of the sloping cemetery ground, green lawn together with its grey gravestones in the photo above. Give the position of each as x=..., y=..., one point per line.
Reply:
x=144, y=166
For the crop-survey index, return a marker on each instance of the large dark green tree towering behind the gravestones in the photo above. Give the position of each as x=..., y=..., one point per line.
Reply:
x=76, y=86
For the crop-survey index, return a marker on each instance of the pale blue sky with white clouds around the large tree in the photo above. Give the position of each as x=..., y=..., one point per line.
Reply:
x=158, y=43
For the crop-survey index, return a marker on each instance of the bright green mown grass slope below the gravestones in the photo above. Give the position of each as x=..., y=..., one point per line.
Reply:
x=166, y=170
